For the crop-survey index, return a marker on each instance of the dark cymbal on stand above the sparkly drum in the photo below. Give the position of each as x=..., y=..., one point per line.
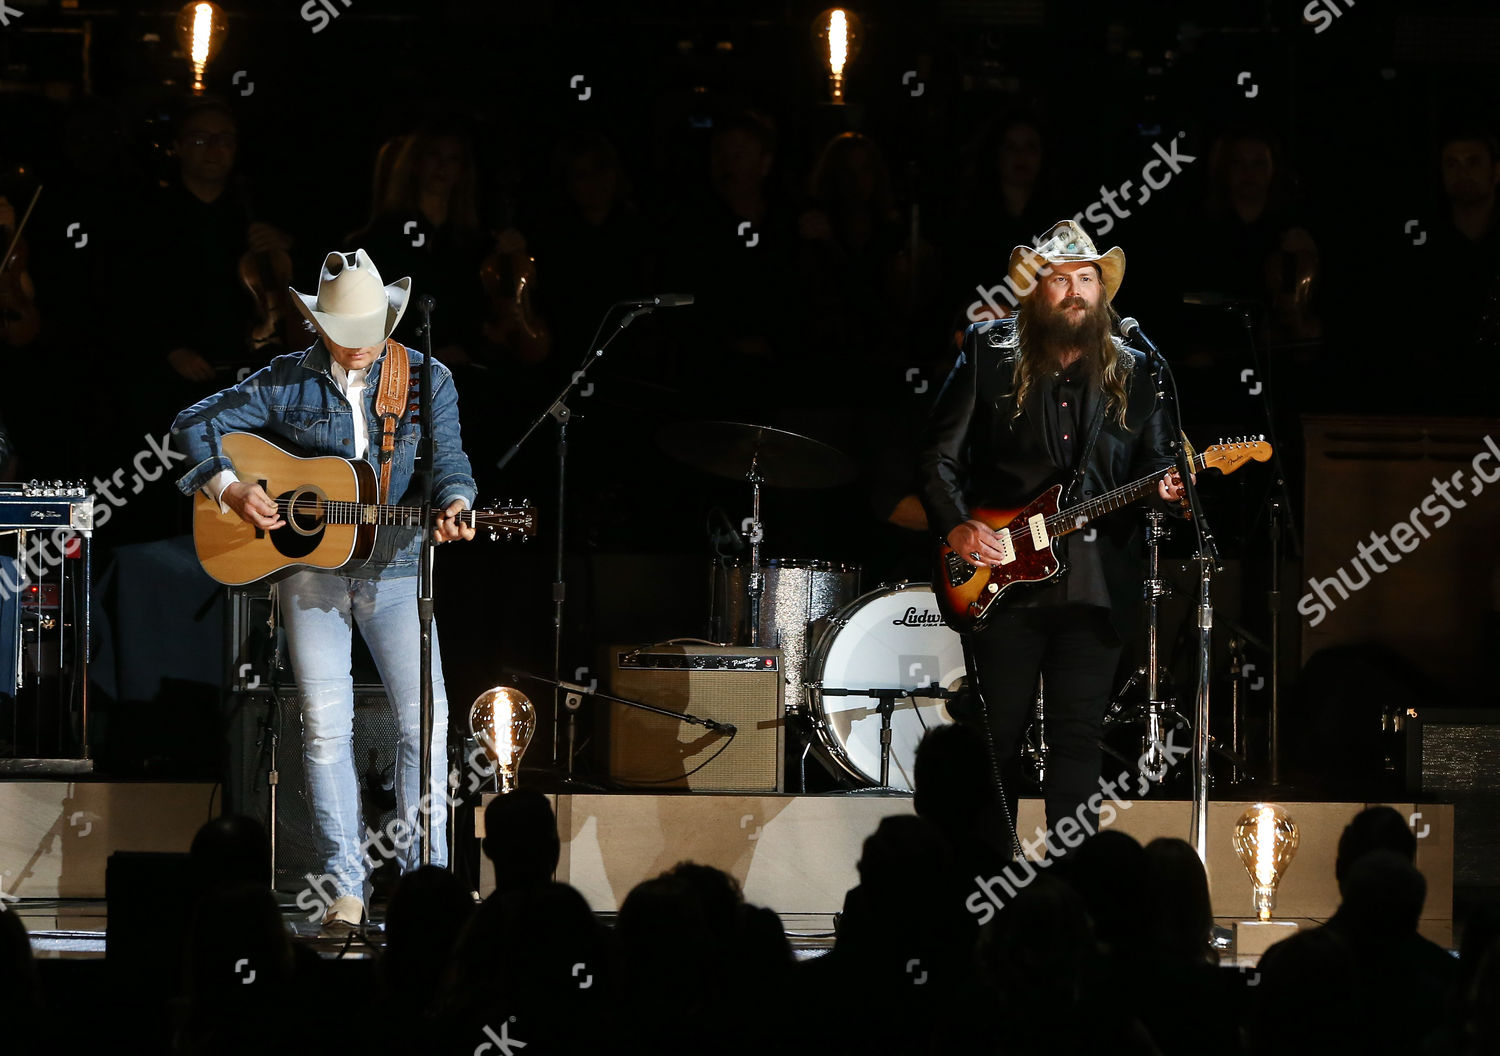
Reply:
x=784, y=460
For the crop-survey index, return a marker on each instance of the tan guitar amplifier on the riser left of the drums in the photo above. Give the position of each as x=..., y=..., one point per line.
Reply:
x=730, y=685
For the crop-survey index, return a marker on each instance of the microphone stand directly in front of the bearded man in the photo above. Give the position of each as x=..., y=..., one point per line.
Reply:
x=1207, y=560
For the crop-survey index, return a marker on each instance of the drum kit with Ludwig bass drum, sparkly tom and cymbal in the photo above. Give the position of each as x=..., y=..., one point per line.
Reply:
x=866, y=674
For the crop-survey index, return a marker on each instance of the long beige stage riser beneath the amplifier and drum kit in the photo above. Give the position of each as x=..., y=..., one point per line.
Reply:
x=797, y=854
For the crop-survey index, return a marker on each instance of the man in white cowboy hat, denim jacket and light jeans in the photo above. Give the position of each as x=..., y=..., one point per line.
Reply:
x=325, y=401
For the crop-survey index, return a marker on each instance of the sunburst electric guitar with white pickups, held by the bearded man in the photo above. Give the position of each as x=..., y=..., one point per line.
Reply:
x=967, y=596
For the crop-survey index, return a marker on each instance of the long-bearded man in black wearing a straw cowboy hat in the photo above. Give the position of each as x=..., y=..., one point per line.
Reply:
x=1018, y=415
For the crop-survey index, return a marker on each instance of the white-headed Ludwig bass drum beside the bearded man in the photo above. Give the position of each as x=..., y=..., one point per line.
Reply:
x=890, y=638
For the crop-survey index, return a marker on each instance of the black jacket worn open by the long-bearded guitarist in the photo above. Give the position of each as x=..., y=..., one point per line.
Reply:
x=976, y=452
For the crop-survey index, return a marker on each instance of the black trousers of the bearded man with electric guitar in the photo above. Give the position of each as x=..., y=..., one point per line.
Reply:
x=1076, y=650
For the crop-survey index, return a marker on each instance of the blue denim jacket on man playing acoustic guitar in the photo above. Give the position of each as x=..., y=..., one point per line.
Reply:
x=296, y=398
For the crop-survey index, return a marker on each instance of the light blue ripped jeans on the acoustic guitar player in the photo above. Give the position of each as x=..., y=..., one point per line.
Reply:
x=320, y=611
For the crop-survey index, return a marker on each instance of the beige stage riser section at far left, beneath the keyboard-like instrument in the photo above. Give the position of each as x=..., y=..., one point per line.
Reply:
x=56, y=838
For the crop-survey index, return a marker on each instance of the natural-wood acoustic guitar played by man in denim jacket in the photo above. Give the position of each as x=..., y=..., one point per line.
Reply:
x=331, y=511
